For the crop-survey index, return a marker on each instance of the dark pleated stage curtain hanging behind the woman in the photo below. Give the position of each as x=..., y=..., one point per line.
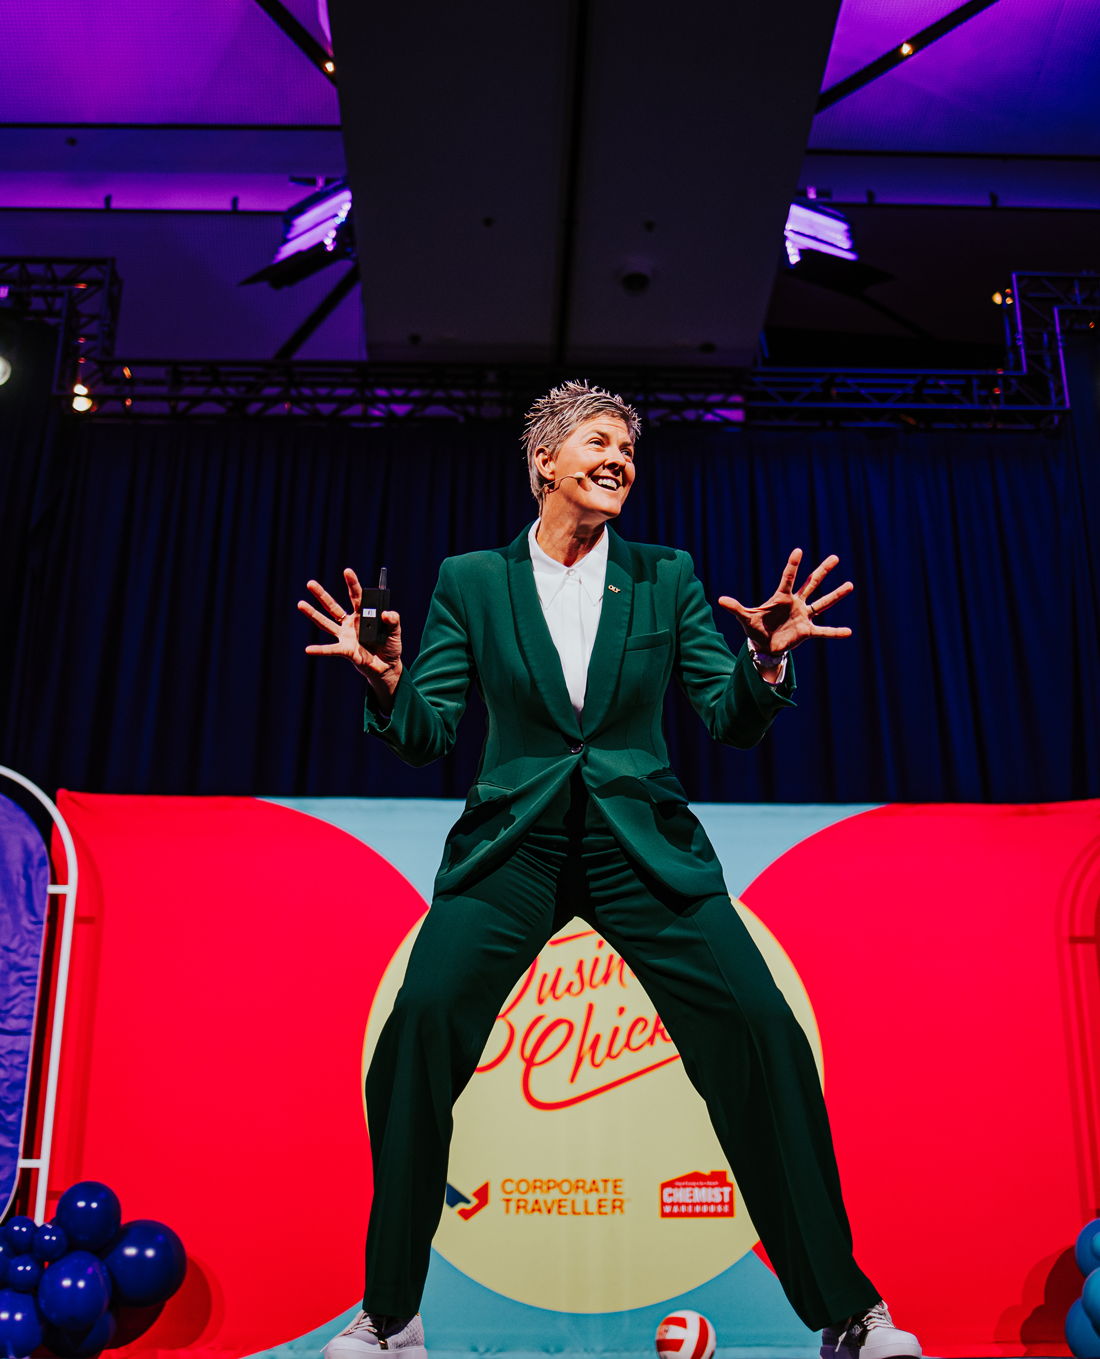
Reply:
x=152, y=576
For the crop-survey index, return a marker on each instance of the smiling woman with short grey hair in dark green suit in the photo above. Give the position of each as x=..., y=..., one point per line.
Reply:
x=572, y=637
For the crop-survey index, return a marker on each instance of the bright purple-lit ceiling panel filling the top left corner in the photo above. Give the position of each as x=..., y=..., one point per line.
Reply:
x=134, y=62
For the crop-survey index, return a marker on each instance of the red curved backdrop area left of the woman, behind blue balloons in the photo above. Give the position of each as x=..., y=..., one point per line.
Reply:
x=226, y=955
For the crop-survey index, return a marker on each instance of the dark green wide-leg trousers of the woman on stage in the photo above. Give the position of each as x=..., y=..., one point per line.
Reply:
x=742, y=1047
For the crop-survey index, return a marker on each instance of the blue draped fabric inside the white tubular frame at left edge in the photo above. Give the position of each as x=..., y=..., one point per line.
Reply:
x=24, y=895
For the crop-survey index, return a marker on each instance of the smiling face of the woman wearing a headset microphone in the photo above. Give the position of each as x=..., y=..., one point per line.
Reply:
x=594, y=470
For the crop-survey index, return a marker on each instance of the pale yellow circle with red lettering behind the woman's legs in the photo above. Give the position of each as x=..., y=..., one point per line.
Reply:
x=619, y=1127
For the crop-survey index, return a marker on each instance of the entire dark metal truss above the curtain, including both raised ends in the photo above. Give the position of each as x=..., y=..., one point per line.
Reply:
x=84, y=297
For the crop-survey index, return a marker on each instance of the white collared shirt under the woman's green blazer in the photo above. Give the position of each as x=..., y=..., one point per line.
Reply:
x=572, y=599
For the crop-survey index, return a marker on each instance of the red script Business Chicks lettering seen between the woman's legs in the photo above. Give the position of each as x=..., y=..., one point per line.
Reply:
x=577, y=1027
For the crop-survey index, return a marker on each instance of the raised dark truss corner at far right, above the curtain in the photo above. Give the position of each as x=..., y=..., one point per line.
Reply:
x=1049, y=306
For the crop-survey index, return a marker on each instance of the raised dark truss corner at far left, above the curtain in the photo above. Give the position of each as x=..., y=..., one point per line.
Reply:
x=84, y=297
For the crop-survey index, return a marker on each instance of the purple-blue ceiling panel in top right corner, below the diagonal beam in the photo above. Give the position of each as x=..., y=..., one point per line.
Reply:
x=1020, y=78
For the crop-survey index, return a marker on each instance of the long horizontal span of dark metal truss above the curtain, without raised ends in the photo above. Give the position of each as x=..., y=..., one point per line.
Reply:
x=373, y=395
